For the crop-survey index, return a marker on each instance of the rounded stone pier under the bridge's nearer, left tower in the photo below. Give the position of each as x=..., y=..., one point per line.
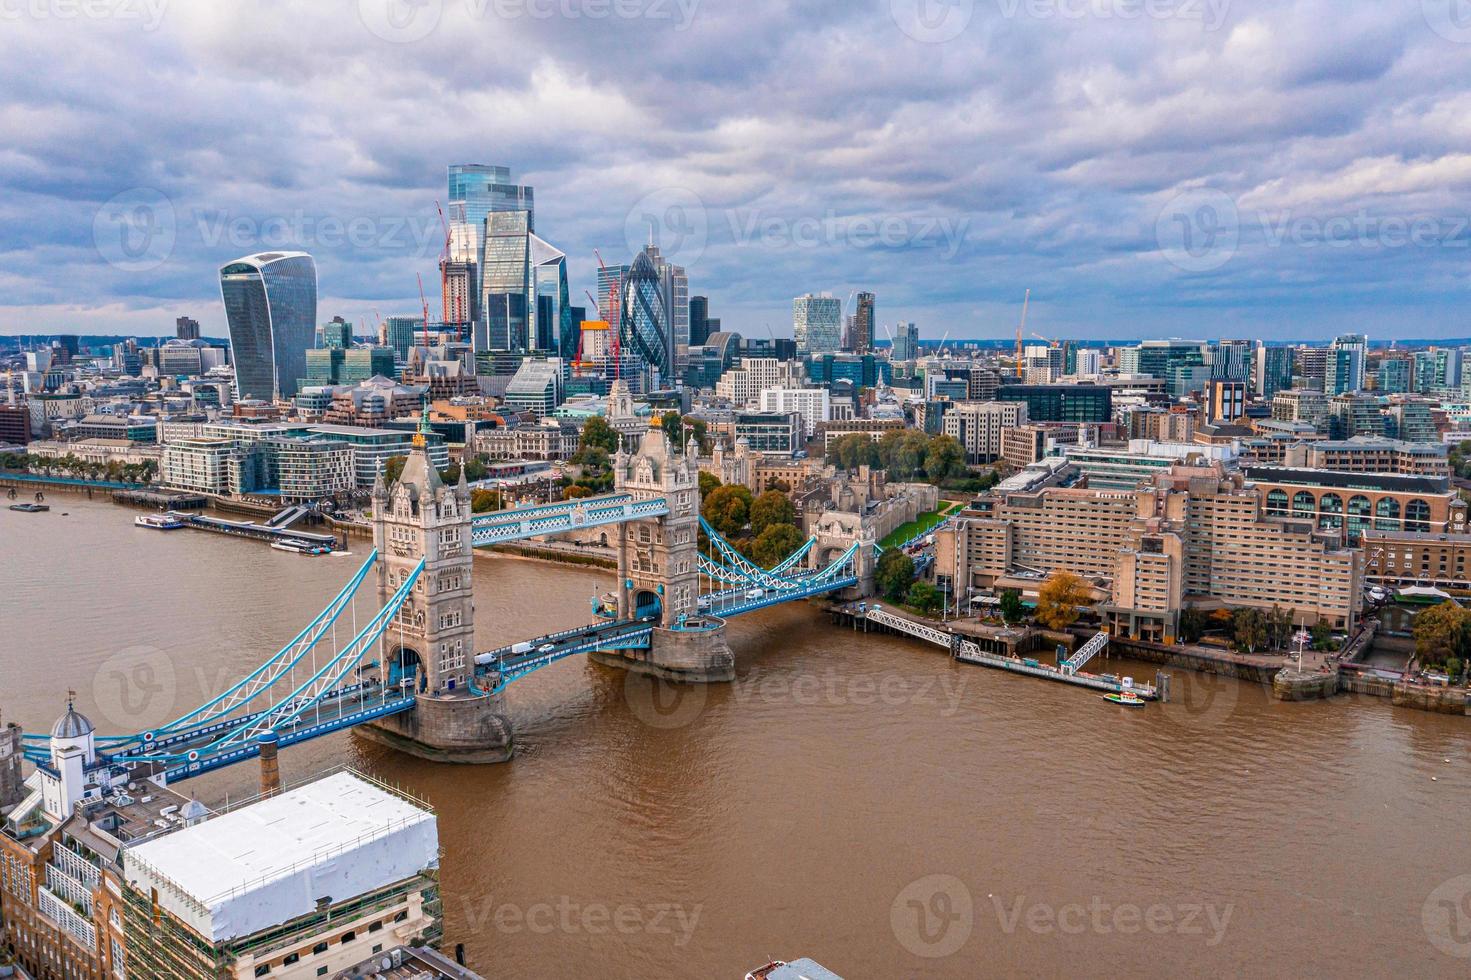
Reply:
x=470, y=729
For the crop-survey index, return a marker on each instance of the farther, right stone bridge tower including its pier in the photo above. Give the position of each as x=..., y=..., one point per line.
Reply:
x=660, y=573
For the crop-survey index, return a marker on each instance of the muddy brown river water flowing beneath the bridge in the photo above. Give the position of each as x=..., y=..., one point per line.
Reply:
x=858, y=800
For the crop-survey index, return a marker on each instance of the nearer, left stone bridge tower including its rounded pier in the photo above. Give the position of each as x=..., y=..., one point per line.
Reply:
x=430, y=647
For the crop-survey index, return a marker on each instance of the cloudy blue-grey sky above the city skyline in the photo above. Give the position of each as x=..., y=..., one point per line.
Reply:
x=1260, y=168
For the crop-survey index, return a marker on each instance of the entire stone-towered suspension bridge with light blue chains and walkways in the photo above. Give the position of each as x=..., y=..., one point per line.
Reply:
x=410, y=675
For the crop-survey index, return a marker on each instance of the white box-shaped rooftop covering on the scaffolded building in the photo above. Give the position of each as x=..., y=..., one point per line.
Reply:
x=271, y=862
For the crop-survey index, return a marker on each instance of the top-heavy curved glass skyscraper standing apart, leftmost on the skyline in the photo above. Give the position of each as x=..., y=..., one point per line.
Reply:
x=271, y=314
